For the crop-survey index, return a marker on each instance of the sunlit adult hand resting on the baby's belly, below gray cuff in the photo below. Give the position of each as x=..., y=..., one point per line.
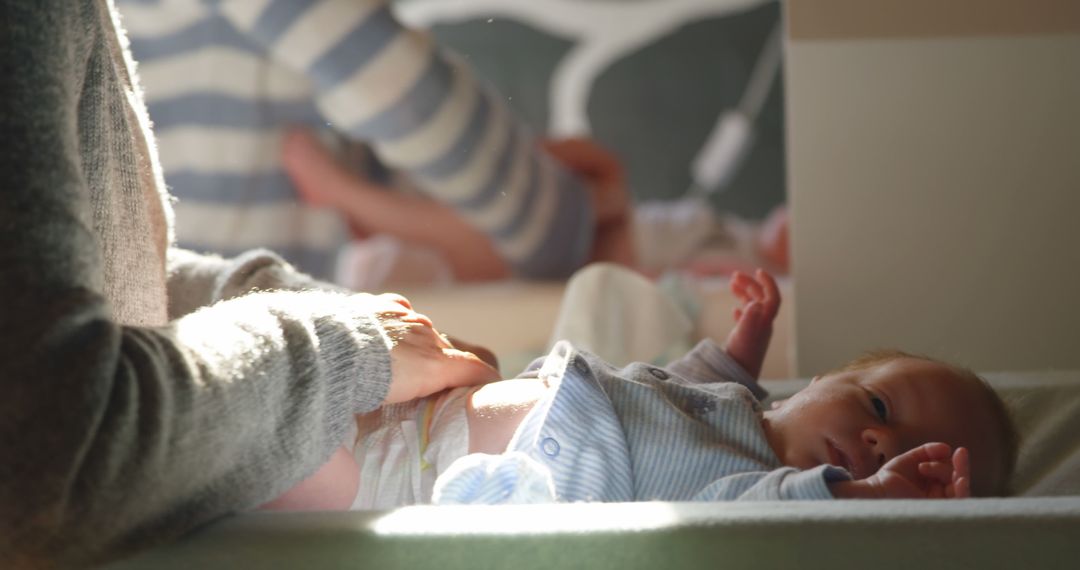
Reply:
x=422, y=360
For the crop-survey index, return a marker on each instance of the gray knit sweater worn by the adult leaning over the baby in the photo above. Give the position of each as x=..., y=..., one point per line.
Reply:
x=128, y=417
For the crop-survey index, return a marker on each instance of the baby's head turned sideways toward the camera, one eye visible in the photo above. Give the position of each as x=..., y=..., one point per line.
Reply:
x=886, y=403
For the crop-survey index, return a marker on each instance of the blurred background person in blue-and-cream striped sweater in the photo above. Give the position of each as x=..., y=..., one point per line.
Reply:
x=225, y=82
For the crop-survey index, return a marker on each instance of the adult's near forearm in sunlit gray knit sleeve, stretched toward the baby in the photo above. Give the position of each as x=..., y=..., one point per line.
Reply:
x=130, y=437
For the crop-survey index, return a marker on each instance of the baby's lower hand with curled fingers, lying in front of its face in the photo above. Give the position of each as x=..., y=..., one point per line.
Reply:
x=931, y=471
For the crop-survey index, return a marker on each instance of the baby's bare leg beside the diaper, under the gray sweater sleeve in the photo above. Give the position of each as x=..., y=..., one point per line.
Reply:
x=331, y=488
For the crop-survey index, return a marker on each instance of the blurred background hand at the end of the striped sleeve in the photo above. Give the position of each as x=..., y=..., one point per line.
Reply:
x=612, y=205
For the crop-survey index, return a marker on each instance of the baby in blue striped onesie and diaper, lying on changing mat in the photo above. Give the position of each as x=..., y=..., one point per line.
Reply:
x=574, y=428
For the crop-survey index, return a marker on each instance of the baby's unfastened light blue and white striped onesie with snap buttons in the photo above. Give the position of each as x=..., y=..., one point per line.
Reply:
x=639, y=433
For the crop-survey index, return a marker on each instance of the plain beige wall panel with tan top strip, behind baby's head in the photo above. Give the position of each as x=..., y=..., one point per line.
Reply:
x=936, y=182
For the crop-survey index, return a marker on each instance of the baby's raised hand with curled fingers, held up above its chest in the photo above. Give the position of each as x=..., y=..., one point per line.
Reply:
x=760, y=303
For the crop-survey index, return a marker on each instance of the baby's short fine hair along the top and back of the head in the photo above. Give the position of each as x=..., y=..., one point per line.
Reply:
x=1008, y=436
